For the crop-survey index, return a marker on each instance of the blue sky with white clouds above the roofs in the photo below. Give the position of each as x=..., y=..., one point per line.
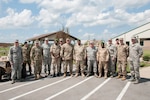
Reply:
x=85, y=19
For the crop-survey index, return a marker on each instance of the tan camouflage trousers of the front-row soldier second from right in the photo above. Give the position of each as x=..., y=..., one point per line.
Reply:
x=122, y=65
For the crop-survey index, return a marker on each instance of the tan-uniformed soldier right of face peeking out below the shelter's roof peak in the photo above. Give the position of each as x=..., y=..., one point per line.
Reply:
x=67, y=56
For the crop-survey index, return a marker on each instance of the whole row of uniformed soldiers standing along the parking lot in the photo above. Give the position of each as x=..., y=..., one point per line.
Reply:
x=88, y=60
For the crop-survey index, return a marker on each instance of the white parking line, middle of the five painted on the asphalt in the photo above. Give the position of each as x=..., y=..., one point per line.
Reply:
x=53, y=96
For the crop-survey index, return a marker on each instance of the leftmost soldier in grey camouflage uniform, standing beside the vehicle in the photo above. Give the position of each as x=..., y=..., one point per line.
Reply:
x=16, y=60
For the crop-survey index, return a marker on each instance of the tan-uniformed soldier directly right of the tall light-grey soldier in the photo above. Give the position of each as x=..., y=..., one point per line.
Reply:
x=55, y=54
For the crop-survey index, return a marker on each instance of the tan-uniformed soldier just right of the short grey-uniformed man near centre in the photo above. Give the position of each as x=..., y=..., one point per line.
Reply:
x=103, y=58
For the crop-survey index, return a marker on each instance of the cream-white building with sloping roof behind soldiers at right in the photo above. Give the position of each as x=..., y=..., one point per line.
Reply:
x=142, y=33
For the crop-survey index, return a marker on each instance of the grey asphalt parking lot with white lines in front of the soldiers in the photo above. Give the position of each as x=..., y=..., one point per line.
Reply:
x=77, y=88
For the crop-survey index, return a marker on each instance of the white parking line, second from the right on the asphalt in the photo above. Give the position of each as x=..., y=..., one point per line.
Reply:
x=93, y=91
